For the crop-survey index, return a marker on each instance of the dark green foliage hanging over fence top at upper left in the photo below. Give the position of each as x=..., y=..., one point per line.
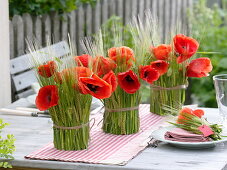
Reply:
x=39, y=7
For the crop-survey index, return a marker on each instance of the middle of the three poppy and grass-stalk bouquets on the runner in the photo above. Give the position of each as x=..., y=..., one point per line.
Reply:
x=118, y=67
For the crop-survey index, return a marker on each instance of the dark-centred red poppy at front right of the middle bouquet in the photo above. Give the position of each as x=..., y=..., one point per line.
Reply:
x=128, y=81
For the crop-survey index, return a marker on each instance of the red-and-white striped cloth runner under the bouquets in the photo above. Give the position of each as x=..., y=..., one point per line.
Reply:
x=106, y=148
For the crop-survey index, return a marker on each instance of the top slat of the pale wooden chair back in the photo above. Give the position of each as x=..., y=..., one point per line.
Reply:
x=21, y=63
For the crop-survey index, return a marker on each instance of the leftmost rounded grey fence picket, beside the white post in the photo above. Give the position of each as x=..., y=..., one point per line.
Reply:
x=19, y=34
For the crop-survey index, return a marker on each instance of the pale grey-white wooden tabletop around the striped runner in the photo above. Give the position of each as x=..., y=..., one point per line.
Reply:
x=32, y=133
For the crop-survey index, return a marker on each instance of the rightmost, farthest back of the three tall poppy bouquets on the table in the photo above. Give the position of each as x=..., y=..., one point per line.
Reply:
x=173, y=62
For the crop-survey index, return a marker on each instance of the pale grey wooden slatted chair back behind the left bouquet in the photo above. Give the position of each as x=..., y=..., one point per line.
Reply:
x=23, y=77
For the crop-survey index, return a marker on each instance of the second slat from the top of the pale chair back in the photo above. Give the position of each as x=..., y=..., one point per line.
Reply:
x=24, y=80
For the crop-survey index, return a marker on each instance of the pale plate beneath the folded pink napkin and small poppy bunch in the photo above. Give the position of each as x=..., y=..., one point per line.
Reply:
x=159, y=135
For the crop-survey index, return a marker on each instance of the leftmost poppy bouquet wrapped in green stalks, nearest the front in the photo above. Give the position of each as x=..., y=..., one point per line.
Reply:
x=67, y=86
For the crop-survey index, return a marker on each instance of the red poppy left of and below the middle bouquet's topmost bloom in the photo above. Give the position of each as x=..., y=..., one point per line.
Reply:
x=103, y=65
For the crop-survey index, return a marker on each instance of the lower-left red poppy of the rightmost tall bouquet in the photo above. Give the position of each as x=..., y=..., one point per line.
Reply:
x=148, y=74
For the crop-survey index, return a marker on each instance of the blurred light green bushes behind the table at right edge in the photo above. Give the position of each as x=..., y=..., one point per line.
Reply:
x=209, y=26
